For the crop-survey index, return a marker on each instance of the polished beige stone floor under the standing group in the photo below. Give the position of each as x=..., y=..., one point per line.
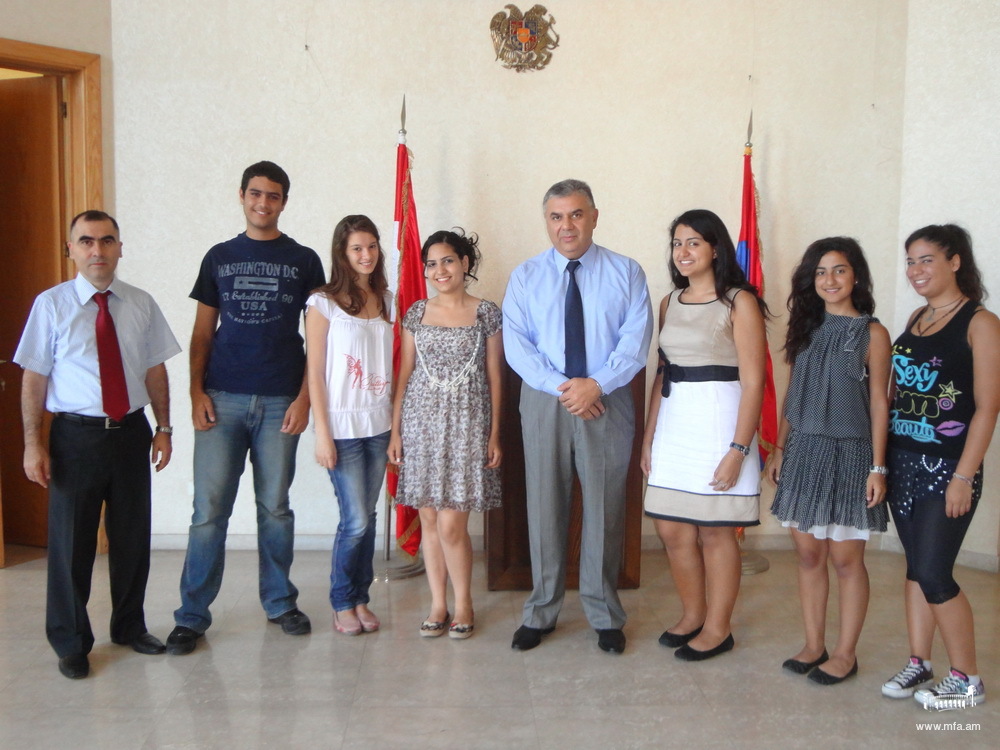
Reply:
x=248, y=685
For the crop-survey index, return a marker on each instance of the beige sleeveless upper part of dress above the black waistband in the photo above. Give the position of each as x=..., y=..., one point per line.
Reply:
x=694, y=335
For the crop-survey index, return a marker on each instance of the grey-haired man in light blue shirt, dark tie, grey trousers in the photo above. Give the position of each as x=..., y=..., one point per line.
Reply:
x=576, y=406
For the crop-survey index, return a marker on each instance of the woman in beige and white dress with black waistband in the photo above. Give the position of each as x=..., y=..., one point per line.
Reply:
x=700, y=452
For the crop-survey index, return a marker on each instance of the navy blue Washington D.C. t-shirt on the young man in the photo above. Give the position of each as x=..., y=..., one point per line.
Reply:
x=260, y=289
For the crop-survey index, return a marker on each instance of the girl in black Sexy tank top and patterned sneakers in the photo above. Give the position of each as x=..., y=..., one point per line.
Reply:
x=947, y=380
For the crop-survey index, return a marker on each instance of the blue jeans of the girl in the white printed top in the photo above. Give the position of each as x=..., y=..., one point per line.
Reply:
x=357, y=479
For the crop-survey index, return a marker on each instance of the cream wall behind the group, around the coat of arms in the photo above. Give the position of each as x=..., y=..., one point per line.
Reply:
x=648, y=102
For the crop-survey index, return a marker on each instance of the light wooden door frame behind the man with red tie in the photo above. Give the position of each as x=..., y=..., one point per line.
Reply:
x=83, y=172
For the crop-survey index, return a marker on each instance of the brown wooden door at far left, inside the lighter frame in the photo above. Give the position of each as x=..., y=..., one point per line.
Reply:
x=31, y=228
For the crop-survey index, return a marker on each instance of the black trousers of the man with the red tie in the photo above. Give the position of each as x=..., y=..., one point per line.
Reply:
x=92, y=465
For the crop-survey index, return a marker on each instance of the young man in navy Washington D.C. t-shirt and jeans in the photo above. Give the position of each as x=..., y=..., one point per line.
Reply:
x=248, y=394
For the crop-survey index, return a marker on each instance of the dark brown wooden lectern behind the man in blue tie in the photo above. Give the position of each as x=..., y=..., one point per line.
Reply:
x=508, y=560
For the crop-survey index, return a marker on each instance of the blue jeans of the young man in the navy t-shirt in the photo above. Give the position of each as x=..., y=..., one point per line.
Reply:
x=243, y=423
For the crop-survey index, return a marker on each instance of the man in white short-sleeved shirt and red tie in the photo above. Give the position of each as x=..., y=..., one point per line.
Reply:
x=93, y=353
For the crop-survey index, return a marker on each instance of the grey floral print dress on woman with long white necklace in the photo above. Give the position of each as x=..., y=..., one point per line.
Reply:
x=446, y=415
